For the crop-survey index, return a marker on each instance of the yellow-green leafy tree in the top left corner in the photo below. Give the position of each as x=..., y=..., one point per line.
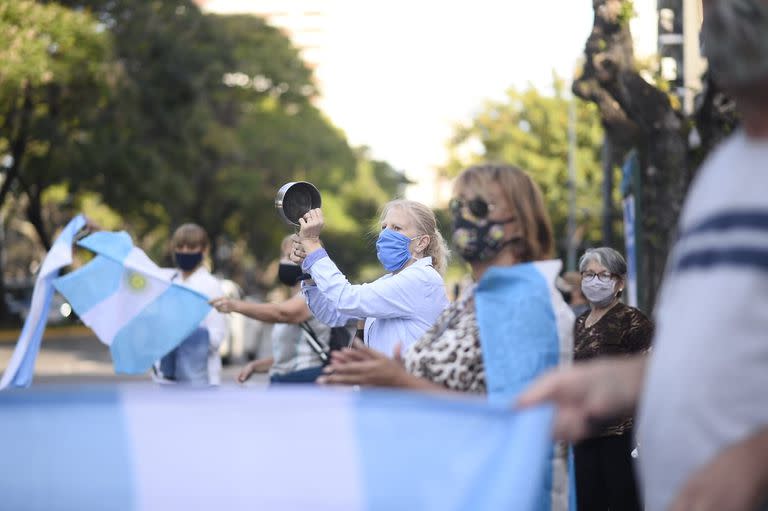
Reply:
x=53, y=78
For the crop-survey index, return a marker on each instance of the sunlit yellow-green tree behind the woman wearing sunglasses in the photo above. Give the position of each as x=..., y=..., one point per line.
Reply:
x=529, y=129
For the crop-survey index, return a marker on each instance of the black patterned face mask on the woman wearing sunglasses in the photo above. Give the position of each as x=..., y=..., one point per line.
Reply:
x=478, y=241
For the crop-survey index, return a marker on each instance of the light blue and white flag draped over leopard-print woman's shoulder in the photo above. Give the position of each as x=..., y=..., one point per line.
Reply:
x=525, y=330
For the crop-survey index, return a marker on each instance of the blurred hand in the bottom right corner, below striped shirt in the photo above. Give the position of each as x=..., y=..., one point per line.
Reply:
x=732, y=481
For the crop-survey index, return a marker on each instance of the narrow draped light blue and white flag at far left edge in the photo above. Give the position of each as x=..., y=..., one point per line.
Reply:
x=21, y=367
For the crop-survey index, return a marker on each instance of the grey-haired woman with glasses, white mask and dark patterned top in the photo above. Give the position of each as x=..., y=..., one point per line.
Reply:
x=604, y=475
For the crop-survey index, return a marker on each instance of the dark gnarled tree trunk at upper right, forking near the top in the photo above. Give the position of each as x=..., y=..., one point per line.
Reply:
x=639, y=115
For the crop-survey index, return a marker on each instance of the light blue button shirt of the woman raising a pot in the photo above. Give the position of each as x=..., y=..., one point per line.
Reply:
x=396, y=307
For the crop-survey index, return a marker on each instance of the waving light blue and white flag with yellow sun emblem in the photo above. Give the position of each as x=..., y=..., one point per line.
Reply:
x=130, y=303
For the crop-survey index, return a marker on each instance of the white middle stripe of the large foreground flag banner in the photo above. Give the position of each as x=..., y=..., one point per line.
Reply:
x=323, y=419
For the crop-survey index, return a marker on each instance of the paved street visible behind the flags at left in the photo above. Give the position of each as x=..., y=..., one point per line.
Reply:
x=76, y=356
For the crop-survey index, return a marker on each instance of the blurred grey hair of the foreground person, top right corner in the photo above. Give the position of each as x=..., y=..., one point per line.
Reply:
x=735, y=40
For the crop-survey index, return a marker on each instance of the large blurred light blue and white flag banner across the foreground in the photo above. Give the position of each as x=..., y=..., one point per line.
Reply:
x=148, y=448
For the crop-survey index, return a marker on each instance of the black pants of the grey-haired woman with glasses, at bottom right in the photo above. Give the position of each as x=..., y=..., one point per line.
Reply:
x=605, y=477
